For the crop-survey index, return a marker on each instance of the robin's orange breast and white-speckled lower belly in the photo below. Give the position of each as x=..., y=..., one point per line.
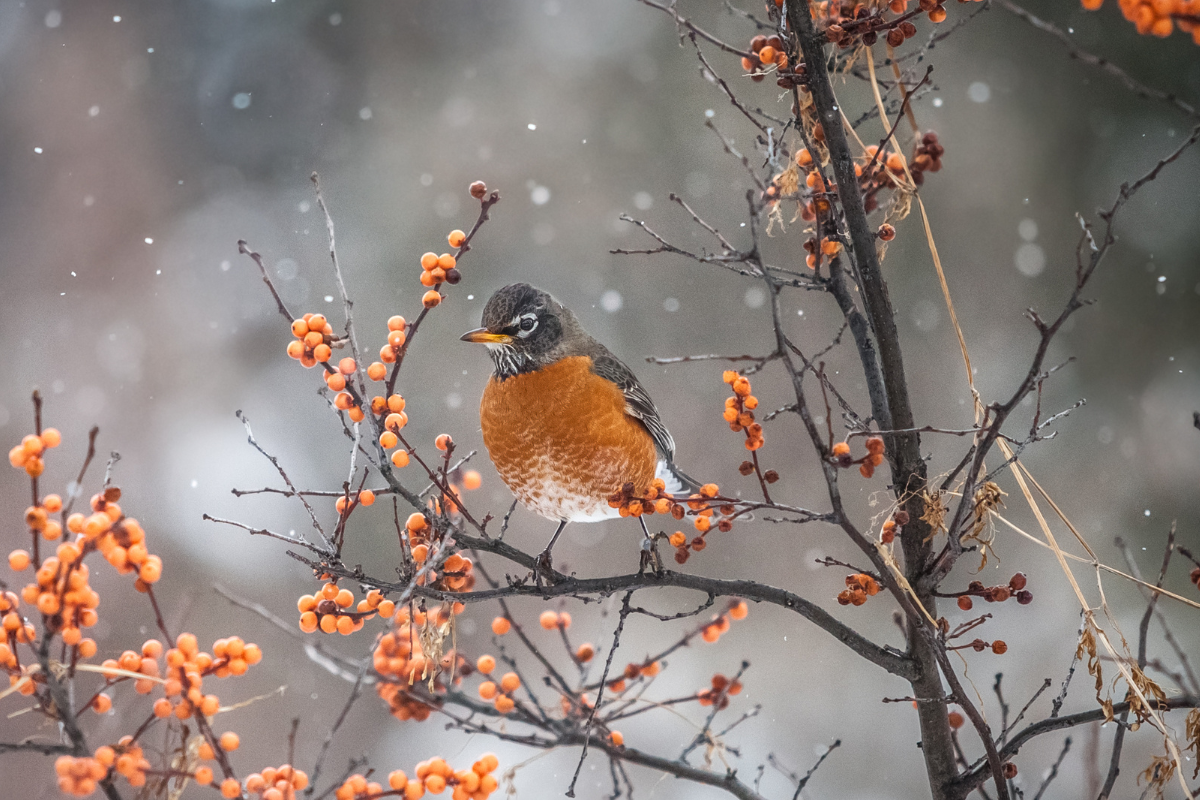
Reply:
x=561, y=440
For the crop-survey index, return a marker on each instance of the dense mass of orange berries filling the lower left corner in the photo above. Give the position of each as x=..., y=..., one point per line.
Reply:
x=64, y=599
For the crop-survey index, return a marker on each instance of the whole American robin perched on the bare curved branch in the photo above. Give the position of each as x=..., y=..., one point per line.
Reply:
x=567, y=424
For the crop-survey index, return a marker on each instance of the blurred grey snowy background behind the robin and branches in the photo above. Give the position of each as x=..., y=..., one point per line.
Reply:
x=142, y=141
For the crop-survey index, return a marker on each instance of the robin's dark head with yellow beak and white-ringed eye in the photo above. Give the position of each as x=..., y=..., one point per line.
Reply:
x=525, y=329
